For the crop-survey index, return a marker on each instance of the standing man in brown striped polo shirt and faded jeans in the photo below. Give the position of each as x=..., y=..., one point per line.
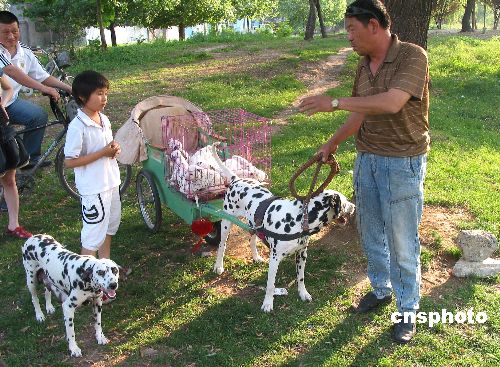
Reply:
x=389, y=116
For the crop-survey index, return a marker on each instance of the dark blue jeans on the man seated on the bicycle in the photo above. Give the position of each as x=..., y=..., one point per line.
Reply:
x=26, y=113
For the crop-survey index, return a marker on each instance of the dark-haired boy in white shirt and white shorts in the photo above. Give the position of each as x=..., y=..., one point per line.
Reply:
x=91, y=151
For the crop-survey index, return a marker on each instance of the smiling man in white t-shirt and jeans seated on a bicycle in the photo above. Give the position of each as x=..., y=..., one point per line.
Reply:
x=24, y=69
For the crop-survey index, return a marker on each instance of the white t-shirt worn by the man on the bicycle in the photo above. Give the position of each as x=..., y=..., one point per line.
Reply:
x=26, y=60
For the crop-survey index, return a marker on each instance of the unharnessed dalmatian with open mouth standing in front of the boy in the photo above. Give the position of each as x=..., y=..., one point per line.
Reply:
x=72, y=278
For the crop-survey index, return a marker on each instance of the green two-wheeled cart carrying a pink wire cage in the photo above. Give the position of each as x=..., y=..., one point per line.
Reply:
x=196, y=195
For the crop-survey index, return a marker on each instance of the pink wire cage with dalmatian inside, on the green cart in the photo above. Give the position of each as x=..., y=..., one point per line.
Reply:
x=243, y=142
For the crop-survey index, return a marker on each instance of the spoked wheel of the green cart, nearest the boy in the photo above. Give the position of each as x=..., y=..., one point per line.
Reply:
x=149, y=200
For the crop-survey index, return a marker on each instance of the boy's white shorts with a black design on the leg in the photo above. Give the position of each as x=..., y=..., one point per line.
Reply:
x=101, y=214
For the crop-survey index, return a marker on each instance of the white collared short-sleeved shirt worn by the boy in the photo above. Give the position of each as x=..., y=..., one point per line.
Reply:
x=85, y=137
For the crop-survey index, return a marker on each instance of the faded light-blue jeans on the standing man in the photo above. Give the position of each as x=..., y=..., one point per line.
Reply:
x=389, y=202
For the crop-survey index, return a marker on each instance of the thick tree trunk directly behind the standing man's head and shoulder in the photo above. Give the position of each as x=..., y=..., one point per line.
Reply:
x=410, y=19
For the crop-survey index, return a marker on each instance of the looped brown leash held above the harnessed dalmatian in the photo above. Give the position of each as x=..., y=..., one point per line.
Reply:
x=318, y=160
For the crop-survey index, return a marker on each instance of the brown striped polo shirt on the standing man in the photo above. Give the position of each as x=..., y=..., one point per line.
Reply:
x=406, y=133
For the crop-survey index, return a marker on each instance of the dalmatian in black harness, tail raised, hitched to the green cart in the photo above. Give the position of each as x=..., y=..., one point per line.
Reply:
x=278, y=222
